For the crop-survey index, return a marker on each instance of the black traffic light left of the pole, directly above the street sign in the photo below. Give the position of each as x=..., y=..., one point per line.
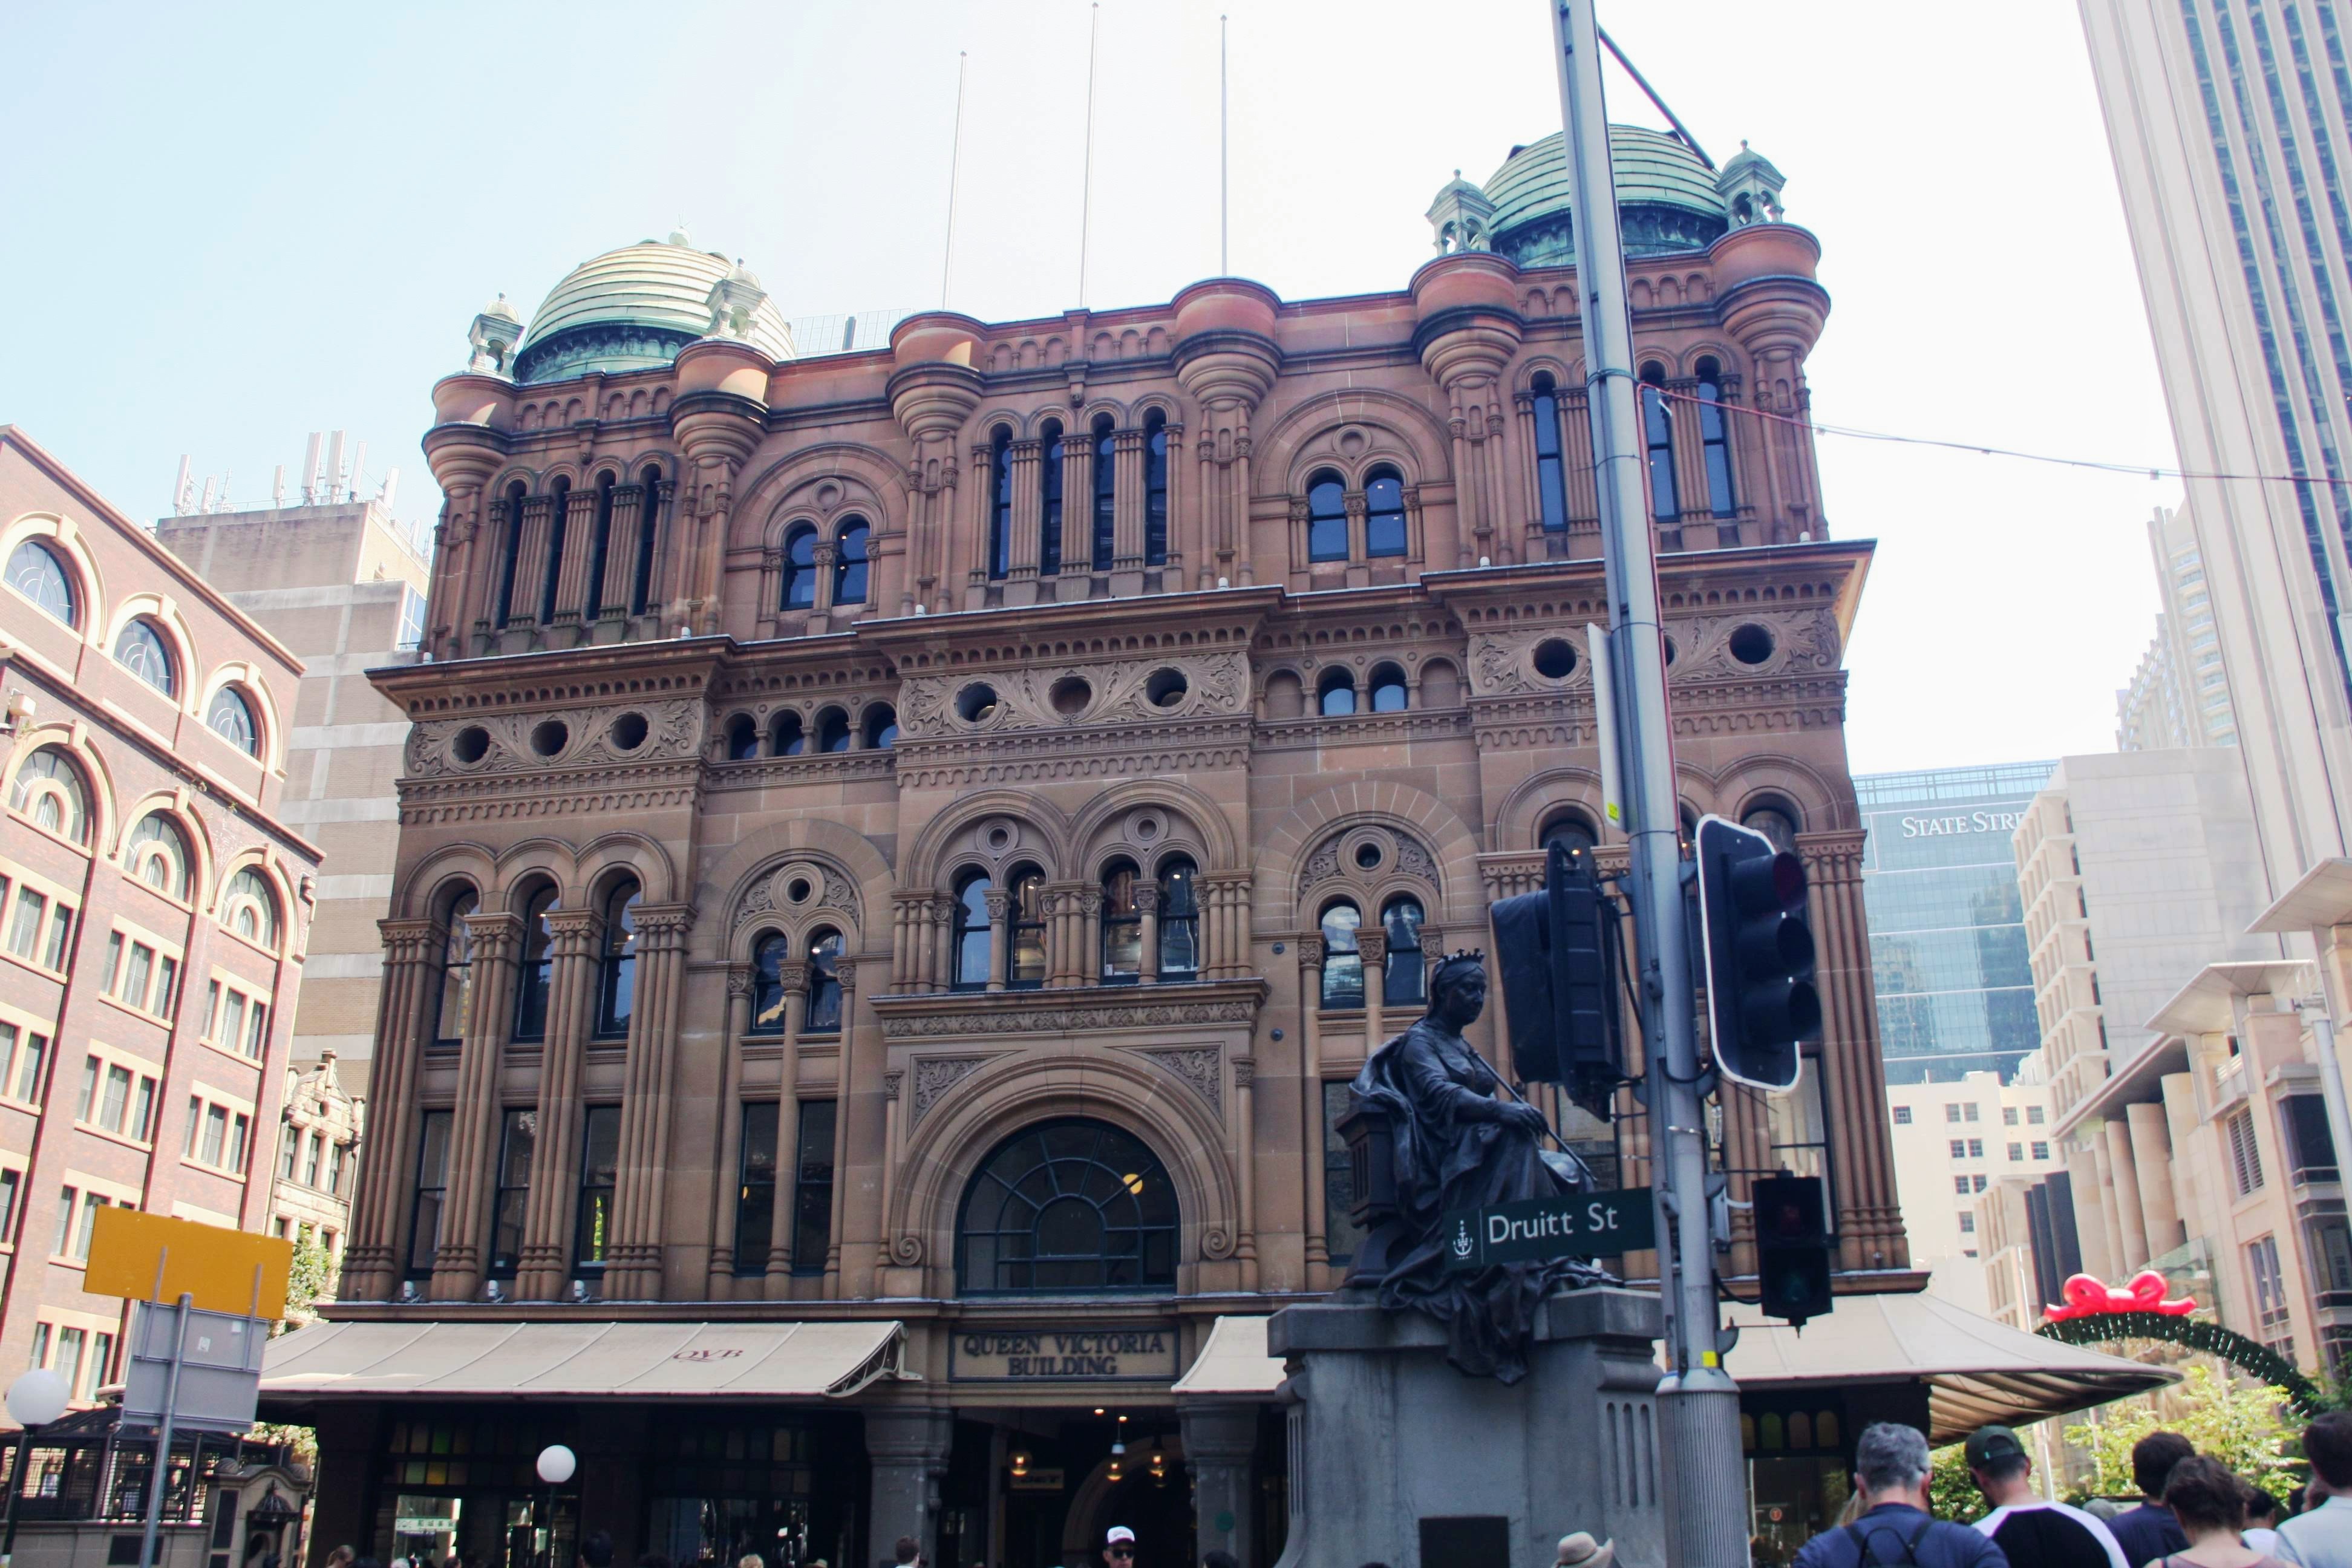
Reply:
x=1556, y=953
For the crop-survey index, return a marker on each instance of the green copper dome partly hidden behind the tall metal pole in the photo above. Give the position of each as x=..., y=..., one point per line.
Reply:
x=1666, y=199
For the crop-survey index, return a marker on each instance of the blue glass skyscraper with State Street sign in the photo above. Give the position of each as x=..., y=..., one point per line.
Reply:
x=1946, y=925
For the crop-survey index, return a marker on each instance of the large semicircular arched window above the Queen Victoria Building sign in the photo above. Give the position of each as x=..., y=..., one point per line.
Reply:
x=1069, y=1207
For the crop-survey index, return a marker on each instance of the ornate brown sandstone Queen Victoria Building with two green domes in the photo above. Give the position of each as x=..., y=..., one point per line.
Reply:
x=902, y=852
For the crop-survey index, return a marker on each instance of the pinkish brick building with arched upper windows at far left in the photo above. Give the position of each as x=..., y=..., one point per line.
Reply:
x=154, y=902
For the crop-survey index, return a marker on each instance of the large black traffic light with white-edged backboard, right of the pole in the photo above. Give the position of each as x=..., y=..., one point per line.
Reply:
x=1758, y=956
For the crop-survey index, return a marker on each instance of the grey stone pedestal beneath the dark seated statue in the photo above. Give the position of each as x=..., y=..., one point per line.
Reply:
x=1394, y=1449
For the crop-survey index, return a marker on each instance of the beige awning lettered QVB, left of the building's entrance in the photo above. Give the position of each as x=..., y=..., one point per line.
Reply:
x=582, y=1360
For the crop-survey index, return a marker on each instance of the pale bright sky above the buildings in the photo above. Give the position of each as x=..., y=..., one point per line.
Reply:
x=229, y=227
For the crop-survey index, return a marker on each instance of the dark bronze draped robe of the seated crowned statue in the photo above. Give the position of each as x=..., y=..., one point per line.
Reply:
x=1452, y=1153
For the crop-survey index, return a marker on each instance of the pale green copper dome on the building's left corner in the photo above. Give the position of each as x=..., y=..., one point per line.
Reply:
x=634, y=309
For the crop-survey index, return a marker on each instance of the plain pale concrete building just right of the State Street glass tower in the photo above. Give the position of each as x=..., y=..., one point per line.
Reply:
x=2137, y=869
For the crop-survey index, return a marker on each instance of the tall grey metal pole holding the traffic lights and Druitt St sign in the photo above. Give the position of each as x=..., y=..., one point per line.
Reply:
x=1699, y=1407
